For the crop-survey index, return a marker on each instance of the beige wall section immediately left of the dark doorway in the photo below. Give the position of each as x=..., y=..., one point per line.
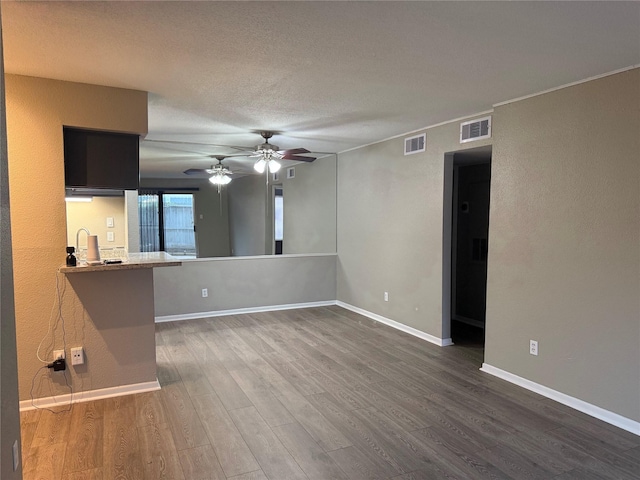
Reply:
x=390, y=209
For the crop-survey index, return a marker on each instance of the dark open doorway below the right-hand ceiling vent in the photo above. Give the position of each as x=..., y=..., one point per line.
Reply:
x=470, y=184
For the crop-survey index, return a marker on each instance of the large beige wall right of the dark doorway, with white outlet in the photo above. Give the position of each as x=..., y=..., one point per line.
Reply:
x=564, y=236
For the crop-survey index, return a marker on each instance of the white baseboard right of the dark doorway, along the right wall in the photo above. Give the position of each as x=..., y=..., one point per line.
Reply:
x=575, y=403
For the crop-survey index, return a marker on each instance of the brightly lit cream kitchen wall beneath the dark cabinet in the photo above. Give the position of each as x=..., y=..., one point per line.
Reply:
x=93, y=216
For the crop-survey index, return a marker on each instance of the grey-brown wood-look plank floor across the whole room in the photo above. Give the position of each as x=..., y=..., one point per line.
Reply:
x=320, y=394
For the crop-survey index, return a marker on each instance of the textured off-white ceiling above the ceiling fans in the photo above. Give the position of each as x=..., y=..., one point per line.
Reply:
x=328, y=75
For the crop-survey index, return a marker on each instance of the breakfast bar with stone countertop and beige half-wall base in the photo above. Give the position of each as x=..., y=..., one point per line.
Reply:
x=113, y=311
